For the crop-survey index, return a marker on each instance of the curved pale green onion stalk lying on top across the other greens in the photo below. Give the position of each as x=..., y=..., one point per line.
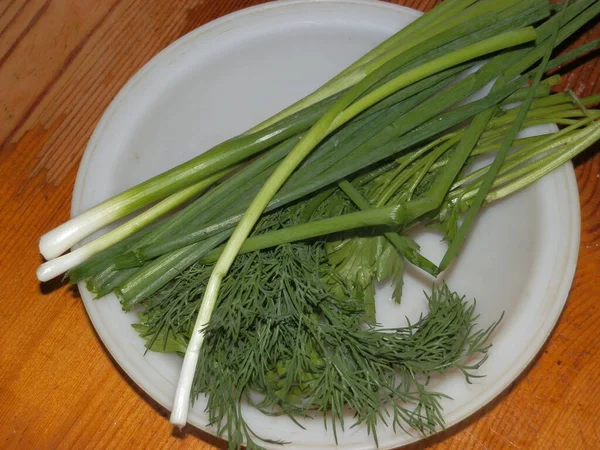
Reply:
x=347, y=107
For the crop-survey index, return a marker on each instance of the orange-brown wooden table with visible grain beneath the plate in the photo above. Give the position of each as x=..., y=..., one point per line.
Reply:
x=61, y=63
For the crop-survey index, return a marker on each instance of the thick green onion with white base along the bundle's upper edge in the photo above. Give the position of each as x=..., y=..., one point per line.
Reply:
x=261, y=137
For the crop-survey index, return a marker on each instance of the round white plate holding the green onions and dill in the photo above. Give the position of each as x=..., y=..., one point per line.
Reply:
x=228, y=75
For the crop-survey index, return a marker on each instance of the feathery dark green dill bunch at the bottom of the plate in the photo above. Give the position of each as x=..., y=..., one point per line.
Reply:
x=289, y=338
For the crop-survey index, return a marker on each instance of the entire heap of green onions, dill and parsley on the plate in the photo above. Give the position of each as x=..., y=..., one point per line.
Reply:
x=267, y=272
